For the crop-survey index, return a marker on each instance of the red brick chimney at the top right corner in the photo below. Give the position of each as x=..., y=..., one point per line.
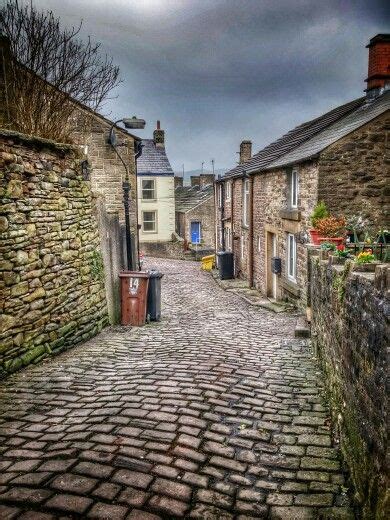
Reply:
x=378, y=79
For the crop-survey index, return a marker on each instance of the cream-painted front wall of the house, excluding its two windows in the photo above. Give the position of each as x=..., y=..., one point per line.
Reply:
x=164, y=204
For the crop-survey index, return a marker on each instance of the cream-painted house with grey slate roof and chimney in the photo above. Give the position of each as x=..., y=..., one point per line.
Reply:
x=156, y=199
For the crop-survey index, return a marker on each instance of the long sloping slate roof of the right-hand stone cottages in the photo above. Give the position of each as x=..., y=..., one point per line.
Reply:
x=310, y=138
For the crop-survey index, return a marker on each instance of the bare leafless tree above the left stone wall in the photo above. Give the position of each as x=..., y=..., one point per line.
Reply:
x=53, y=69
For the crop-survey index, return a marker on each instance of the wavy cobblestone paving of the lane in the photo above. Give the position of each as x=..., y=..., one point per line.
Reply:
x=214, y=413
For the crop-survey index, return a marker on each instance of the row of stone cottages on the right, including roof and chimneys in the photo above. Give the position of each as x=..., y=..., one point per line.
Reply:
x=265, y=203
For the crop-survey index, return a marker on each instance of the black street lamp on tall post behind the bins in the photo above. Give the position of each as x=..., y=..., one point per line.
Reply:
x=135, y=123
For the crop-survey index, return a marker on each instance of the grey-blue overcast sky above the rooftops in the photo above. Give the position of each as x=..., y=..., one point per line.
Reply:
x=216, y=72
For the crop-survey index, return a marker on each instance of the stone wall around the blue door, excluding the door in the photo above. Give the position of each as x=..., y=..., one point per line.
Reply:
x=203, y=213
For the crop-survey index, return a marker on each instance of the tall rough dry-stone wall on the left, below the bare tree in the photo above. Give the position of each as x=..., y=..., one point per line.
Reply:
x=51, y=266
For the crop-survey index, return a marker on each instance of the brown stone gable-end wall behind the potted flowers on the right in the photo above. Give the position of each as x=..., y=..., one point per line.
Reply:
x=354, y=173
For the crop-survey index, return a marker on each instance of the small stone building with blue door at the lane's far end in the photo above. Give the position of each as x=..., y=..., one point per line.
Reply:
x=195, y=213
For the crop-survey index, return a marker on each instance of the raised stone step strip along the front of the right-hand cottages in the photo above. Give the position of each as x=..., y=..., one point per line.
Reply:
x=251, y=296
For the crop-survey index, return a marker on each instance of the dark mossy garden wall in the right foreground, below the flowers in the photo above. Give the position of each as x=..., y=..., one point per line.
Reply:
x=350, y=331
